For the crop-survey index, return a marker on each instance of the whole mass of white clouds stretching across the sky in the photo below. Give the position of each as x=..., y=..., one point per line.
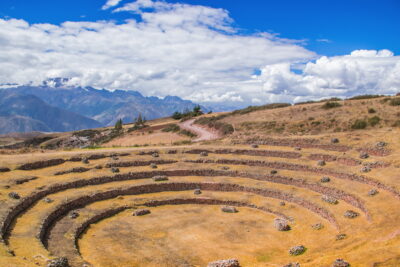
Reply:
x=191, y=51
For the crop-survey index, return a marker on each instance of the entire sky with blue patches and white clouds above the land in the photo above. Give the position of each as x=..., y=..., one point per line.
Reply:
x=219, y=52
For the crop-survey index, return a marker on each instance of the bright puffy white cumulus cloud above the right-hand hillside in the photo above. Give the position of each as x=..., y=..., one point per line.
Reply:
x=361, y=72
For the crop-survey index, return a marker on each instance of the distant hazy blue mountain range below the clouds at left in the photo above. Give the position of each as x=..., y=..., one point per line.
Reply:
x=55, y=107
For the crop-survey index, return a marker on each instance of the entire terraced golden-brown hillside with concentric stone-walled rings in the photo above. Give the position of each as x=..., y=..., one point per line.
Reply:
x=312, y=195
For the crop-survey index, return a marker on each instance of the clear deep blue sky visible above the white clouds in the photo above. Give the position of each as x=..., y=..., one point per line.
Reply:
x=328, y=27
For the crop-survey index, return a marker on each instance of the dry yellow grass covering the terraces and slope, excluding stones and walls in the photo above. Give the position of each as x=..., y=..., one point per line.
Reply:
x=173, y=235
